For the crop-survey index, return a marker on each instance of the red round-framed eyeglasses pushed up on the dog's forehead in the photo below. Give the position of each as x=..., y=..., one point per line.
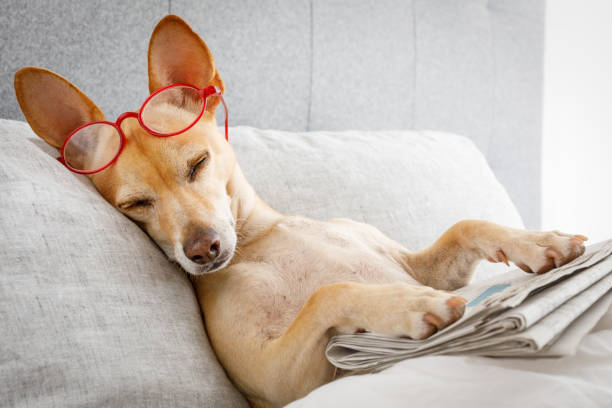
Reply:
x=93, y=147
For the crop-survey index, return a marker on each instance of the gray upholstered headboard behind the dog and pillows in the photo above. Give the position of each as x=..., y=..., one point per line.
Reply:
x=472, y=67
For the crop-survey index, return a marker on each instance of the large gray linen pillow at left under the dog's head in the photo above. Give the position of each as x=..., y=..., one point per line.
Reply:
x=91, y=312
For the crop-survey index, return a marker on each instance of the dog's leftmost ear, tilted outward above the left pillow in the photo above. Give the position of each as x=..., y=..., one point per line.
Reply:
x=52, y=105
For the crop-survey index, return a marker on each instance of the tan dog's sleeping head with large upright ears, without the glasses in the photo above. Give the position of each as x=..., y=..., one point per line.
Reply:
x=175, y=188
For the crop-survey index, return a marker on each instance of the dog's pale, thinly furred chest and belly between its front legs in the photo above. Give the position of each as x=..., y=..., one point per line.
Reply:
x=299, y=256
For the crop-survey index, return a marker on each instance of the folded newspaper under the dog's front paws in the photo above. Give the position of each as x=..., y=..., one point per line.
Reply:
x=515, y=314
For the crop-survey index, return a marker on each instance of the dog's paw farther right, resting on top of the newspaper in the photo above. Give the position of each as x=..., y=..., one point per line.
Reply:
x=540, y=252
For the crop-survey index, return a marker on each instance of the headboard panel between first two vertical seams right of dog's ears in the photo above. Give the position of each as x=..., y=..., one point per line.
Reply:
x=363, y=65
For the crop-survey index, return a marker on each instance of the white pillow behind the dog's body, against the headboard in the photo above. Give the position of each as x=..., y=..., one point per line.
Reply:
x=412, y=185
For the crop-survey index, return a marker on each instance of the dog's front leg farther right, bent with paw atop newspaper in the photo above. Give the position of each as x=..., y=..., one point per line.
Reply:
x=450, y=262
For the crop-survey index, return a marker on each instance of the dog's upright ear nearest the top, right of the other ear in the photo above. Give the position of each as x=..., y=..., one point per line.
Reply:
x=178, y=55
